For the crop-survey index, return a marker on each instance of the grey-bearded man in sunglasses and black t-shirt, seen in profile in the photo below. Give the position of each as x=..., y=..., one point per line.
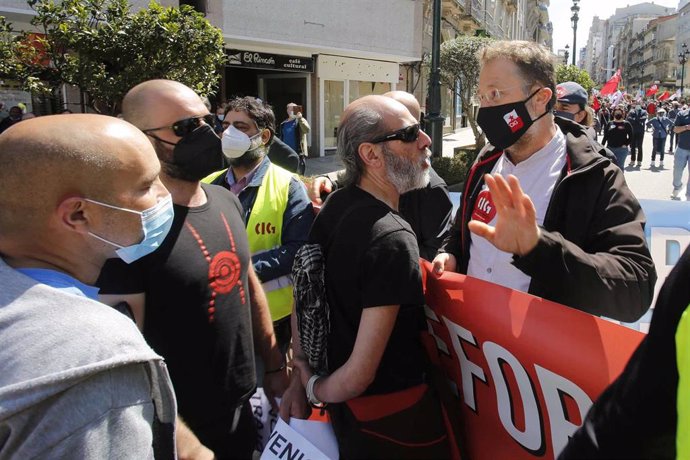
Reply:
x=374, y=291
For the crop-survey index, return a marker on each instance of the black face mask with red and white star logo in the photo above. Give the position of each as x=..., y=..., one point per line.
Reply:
x=505, y=124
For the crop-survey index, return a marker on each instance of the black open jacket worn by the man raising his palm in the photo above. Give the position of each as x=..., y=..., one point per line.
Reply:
x=592, y=254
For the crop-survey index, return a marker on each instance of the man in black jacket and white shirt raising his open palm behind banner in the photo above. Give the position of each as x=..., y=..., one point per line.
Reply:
x=542, y=210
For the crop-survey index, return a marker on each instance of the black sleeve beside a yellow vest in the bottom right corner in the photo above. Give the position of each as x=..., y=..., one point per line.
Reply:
x=637, y=415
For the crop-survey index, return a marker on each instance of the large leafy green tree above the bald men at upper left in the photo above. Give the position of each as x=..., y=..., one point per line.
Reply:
x=105, y=49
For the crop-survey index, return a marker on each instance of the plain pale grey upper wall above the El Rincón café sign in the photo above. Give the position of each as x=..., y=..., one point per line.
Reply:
x=353, y=28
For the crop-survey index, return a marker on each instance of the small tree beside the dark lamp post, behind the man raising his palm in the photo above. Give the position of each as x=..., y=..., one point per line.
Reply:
x=460, y=62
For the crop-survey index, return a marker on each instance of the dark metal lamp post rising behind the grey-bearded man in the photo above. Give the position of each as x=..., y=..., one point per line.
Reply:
x=435, y=118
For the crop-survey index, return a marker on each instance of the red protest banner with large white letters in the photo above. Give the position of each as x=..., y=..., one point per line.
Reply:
x=526, y=370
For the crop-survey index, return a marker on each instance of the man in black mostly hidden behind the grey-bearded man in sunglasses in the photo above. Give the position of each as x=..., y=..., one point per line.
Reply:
x=428, y=210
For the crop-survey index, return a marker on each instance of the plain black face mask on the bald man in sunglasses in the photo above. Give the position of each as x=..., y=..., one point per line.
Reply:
x=196, y=155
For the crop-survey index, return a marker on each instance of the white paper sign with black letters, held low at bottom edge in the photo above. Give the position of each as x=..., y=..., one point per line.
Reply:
x=286, y=443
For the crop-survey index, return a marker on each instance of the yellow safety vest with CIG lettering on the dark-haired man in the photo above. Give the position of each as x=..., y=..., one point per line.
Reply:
x=265, y=229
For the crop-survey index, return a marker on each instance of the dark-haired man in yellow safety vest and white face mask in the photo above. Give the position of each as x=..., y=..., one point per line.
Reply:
x=277, y=211
